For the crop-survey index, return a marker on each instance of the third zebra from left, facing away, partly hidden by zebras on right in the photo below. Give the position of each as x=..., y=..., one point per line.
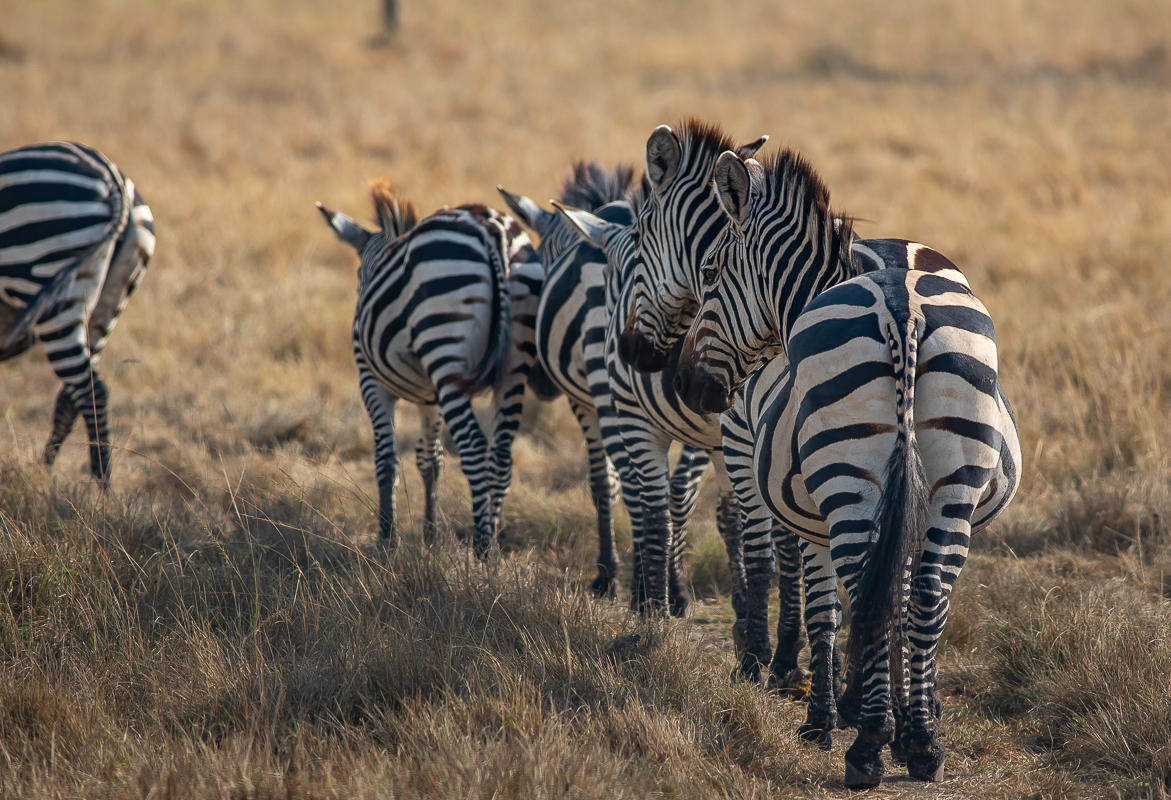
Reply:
x=571, y=332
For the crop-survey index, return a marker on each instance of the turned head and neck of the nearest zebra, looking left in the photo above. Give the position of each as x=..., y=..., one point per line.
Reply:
x=782, y=248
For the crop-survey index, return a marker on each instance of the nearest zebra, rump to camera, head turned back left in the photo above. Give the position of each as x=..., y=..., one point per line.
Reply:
x=882, y=434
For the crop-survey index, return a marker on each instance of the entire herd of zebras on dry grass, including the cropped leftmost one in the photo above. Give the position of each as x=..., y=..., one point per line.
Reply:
x=845, y=391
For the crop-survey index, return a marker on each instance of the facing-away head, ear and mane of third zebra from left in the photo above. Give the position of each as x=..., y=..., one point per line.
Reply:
x=591, y=187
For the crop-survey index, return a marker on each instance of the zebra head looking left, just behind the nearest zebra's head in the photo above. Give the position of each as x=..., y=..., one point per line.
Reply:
x=677, y=223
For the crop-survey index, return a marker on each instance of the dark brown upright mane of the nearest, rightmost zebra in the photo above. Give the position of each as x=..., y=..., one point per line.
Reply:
x=789, y=174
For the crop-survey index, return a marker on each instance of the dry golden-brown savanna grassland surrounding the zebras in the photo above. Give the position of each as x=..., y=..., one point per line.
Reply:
x=224, y=625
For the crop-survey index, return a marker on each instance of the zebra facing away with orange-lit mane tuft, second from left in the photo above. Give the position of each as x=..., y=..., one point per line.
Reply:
x=446, y=311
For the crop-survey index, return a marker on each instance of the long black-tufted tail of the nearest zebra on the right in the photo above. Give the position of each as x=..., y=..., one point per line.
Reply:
x=901, y=522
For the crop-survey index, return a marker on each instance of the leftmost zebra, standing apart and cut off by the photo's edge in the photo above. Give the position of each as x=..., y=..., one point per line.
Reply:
x=76, y=241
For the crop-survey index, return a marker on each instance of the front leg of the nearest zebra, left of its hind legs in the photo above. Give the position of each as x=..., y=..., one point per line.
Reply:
x=821, y=621
